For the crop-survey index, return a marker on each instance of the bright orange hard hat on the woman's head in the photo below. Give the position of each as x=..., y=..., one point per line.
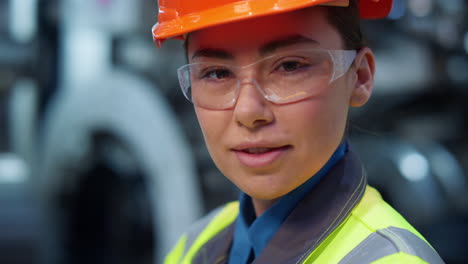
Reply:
x=178, y=17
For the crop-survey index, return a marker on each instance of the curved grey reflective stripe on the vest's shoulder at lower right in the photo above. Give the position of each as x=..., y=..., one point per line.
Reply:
x=389, y=241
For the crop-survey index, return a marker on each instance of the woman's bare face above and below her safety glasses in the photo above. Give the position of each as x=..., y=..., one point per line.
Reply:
x=269, y=149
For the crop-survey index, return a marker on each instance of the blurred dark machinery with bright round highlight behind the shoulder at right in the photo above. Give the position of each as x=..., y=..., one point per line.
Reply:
x=426, y=184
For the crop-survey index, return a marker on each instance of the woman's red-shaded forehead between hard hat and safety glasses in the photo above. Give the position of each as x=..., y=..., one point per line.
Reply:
x=252, y=34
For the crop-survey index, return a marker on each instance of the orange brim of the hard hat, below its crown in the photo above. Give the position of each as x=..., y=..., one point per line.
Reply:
x=368, y=9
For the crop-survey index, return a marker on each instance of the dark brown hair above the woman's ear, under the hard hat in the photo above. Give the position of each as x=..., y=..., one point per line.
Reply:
x=348, y=23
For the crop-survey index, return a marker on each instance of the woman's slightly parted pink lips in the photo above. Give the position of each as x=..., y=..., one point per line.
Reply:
x=257, y=157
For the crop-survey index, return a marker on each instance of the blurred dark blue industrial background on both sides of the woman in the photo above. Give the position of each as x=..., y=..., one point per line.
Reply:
x=102, y=160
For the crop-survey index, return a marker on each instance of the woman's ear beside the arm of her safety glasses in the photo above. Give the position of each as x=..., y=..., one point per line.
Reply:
x=363, y=84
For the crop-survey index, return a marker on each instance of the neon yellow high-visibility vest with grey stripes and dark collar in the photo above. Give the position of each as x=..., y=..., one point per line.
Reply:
x=359, y=227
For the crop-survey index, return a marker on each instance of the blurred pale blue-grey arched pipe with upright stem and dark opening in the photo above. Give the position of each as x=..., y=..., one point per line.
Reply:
x=117, y=126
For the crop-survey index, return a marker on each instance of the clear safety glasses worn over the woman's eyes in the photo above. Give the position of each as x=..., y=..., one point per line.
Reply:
x=282, y=78
